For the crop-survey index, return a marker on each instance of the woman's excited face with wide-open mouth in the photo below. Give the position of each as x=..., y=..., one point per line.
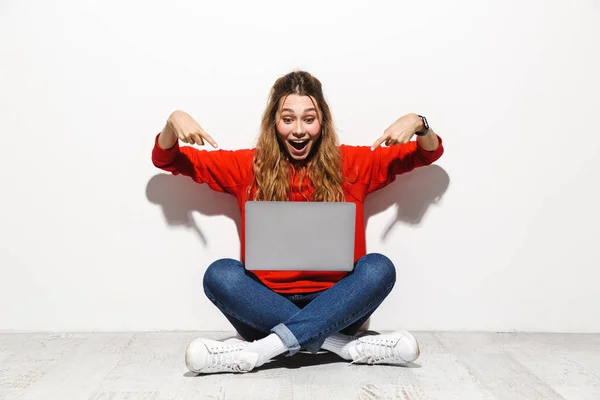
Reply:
x=298, y=127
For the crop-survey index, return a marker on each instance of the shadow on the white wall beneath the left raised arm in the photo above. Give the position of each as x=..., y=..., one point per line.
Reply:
x=179, y=196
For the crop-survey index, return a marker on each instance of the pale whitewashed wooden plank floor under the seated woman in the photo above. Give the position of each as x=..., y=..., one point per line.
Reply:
x=150, y=366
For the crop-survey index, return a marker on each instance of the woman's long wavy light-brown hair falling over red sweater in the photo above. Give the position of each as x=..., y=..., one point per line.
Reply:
x=272, y=167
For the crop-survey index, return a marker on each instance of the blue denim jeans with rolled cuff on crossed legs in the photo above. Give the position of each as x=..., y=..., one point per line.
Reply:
x=302, y=321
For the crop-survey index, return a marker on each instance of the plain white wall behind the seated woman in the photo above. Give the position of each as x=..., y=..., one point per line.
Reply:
x=500, y=235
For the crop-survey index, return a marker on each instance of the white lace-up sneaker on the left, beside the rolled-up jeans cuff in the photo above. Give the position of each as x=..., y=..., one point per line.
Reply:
x=205, y=356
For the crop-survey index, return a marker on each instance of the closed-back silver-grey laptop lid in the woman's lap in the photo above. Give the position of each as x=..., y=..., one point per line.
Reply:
x=305, y=236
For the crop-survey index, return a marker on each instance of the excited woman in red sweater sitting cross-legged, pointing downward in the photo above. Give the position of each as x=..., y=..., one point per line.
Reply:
x=297, y=158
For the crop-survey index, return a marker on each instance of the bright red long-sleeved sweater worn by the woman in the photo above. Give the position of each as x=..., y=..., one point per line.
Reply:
x=365, y=171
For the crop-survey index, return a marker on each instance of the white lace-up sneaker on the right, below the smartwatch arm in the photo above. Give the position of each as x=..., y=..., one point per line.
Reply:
x=389, y=348
